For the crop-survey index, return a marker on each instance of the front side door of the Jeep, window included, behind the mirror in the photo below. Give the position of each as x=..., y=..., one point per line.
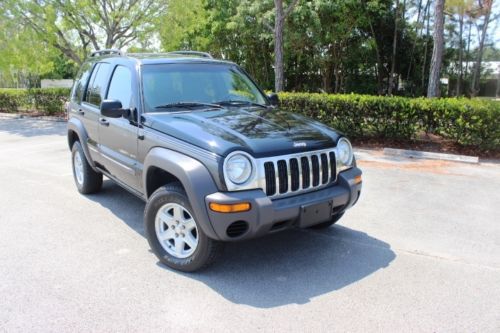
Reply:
x=118, y=136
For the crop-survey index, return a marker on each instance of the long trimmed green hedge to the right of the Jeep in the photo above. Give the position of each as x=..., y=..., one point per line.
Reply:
x=469, y=122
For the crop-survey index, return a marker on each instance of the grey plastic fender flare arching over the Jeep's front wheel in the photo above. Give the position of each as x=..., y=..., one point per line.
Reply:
x=194, y=177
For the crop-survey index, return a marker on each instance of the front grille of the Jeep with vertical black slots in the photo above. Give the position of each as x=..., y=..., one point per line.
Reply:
x=293, y=174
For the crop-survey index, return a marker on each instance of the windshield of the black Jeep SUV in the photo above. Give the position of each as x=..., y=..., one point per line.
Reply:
x=168, y=85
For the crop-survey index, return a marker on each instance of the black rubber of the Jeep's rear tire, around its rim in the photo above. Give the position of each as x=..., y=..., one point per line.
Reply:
x=92, y=180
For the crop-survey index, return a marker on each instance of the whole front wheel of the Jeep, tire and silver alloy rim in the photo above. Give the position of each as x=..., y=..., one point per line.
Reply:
x=173, y=233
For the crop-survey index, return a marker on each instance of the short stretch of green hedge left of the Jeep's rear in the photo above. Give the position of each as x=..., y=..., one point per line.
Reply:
x=49, y=101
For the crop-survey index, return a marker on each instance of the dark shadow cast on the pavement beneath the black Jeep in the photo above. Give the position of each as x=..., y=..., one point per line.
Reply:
x=288, y=267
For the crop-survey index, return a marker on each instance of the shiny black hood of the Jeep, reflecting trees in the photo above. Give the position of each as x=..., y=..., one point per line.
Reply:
x=260, y=132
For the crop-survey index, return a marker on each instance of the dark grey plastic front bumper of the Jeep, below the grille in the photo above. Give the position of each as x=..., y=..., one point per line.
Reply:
x=267, y=216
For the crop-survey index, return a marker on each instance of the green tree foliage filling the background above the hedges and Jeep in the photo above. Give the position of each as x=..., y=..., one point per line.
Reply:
x=335, y=46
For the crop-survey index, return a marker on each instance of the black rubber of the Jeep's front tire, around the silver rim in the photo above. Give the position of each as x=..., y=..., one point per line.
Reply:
x=207, y=249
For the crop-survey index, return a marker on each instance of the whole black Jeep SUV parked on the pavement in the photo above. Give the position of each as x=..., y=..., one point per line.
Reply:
x=213, y=156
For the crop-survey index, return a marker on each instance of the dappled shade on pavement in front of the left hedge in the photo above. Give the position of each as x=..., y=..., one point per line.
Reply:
x=32, y=127
